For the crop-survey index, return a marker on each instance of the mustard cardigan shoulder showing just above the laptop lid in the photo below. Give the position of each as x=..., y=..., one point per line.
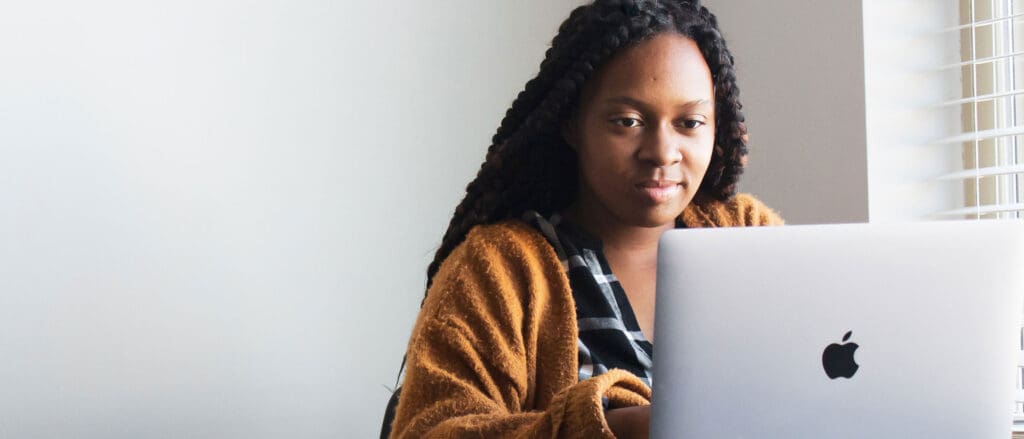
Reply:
x=740, y=210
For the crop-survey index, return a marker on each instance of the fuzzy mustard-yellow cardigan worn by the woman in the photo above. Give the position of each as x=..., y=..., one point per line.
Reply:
x=494, y=350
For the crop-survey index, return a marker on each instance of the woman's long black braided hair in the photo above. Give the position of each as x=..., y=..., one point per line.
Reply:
x=530, y=166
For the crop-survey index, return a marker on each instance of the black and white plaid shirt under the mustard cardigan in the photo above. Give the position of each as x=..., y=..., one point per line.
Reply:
x=610, y=335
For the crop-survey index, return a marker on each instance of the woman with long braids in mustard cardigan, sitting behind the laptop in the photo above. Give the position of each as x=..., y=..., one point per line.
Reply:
x=538, y=320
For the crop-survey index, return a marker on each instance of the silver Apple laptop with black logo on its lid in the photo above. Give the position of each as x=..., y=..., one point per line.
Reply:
x=897, y=331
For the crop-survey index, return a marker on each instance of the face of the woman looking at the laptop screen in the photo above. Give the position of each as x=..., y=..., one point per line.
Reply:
x=645, y=135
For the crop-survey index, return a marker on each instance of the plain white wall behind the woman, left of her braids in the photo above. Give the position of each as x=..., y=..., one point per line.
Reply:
x=217, y=215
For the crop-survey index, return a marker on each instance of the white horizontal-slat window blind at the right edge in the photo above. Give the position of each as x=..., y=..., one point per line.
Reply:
x=992, y=139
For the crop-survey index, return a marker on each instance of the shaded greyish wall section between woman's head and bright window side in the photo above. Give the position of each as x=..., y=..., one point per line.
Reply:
x=802, y=83
